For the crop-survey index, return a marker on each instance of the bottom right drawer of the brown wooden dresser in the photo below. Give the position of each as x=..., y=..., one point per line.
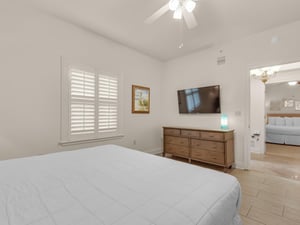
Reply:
x=208, y=156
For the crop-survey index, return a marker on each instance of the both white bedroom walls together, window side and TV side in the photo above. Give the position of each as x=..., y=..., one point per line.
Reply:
x=32, y=43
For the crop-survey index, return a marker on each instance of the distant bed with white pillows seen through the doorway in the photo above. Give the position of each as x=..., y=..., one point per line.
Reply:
x=283, y=129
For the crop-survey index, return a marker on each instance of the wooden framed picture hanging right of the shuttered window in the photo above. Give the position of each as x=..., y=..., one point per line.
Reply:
x=140, y=99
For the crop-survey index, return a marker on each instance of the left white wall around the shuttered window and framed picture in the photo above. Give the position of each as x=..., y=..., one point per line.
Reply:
x=31, y=44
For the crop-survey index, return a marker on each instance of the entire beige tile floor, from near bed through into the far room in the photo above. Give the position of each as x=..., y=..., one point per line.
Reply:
x=271, y=189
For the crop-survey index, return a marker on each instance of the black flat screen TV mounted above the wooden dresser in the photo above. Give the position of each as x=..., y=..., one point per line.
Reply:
x=199, y=100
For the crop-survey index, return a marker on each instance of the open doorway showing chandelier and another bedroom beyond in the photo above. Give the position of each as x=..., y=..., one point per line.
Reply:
x=273, y=109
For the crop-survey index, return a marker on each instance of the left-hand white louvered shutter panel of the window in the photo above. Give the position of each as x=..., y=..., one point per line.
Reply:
x=82, y=102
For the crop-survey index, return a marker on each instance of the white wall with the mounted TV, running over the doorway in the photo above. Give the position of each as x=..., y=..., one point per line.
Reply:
x=200, y=69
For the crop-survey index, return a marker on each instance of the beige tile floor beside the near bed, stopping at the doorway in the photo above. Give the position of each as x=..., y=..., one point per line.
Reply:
x=268, y=199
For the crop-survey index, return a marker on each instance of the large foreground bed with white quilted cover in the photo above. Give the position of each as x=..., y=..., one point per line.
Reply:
x=114, y=185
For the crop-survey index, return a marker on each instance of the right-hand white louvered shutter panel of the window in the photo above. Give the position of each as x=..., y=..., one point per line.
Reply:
x=107, y=103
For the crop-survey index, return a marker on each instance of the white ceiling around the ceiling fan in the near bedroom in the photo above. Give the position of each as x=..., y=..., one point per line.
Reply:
x=219, y=21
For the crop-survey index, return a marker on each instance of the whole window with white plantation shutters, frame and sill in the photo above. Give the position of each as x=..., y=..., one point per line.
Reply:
x=90, y=105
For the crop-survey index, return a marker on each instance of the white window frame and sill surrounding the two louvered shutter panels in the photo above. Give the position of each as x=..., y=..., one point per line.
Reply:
x=66, y=137
